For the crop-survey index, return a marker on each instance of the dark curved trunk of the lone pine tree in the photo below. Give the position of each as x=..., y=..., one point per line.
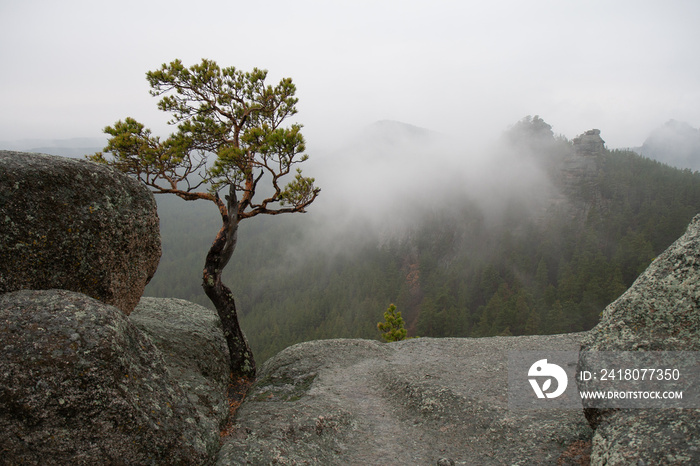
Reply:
x=242, y=361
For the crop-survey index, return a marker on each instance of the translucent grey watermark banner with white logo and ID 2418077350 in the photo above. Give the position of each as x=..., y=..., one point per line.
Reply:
x=603, y=379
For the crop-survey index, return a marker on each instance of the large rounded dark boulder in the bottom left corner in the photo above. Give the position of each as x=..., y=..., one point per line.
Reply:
x=80, y=384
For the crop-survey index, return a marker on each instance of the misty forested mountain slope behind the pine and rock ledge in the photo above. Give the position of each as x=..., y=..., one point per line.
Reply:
x=534, y=234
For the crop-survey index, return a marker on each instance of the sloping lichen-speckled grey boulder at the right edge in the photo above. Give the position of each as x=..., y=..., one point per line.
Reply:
x=659, y=312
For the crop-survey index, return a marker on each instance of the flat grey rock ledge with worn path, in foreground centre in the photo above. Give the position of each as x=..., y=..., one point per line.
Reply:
x=411, y=402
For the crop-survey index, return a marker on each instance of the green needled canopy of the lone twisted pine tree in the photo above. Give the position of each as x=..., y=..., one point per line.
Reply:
x=223, y=112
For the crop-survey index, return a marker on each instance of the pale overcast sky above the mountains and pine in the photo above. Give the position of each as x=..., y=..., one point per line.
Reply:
x=461, y=67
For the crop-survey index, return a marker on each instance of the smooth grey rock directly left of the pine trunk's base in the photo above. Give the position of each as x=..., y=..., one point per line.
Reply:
x=192, y=342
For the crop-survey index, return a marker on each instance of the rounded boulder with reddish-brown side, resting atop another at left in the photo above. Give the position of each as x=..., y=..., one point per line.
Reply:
x=75, y=225
